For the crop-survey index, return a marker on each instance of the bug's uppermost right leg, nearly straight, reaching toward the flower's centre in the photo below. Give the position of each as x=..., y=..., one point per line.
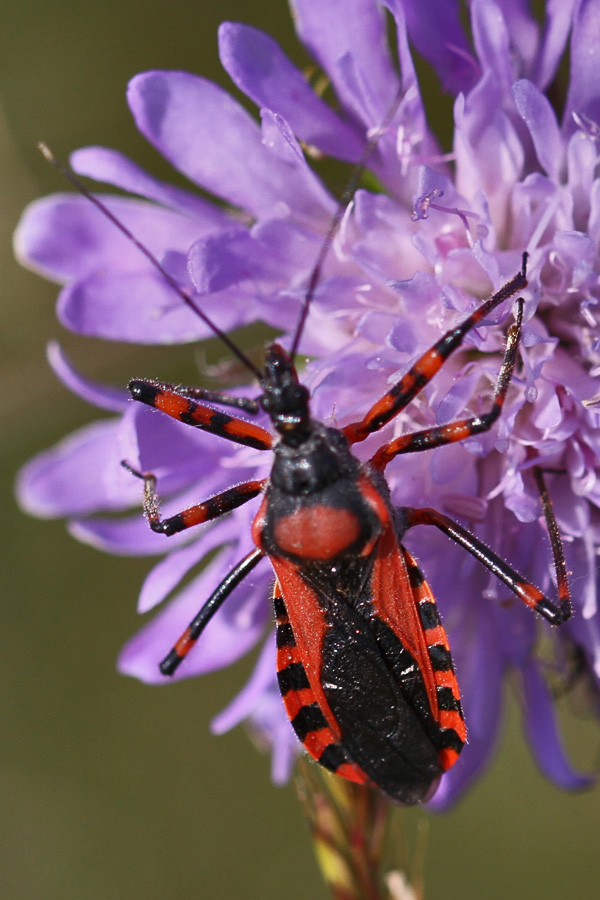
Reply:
x=401, y=394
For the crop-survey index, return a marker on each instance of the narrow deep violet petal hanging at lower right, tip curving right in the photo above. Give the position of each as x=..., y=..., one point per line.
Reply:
x=542, y=732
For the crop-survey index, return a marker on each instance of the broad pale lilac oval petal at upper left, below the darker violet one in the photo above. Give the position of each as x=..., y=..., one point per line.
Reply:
x=209, y=137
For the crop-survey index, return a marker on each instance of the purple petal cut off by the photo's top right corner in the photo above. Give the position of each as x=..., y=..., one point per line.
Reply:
x=583, y=96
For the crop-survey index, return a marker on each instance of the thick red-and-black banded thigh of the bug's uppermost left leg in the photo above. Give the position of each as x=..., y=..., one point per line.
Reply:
x=179, y=406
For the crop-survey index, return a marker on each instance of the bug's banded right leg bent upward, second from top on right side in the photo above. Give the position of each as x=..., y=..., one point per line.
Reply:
x=463, y=428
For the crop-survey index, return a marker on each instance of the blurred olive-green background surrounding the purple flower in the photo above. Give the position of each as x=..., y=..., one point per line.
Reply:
x=110, y=790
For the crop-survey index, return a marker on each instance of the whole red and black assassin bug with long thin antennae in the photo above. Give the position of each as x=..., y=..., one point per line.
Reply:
x=363, y=661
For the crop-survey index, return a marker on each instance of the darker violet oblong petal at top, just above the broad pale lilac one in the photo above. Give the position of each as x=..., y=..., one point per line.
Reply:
x=264, y=73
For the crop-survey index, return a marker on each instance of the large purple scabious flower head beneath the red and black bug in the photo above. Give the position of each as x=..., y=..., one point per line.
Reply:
x=407, y=263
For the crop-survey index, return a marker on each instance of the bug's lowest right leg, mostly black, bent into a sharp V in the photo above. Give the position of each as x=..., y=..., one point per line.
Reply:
x=528, y=593
